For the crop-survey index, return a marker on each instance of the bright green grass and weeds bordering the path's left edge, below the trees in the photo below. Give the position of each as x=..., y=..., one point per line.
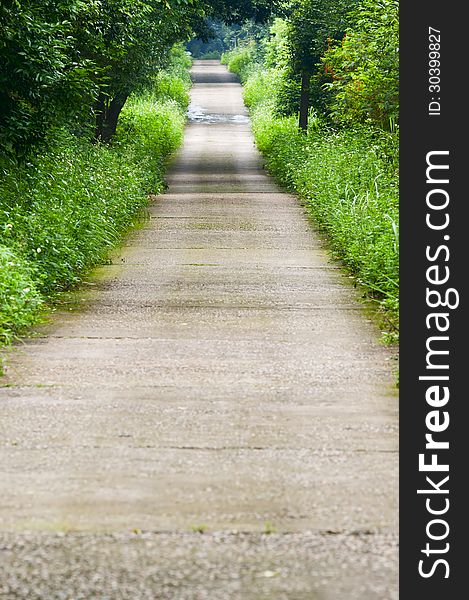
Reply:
x=62, y=211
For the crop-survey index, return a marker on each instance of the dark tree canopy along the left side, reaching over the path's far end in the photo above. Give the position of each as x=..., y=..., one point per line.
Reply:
x=74, y=61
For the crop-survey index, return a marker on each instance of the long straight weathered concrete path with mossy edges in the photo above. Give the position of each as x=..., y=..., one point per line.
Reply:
x=221, y=377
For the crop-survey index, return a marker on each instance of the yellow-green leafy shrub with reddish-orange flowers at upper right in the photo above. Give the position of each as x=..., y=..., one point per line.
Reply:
x=365, y=66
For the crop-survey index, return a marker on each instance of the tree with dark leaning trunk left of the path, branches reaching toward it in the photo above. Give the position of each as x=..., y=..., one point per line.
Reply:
x=130, y=41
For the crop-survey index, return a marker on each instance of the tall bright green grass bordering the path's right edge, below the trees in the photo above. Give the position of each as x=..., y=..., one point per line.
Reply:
x=350, y=187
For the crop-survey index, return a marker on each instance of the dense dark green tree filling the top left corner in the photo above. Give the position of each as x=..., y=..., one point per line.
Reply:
x=43, y=79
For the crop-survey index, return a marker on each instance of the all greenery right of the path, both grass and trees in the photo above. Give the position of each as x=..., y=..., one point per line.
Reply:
x=322, y=88
